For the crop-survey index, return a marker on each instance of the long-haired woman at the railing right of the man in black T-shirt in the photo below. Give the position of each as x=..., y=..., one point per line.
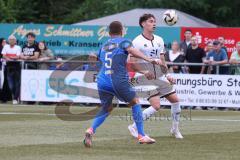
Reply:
x=45, y=55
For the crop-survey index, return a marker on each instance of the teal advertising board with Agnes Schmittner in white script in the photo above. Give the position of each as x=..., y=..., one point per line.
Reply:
x=70, y=40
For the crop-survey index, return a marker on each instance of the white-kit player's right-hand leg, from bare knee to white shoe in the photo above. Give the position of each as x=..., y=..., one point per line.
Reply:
x=175, y=113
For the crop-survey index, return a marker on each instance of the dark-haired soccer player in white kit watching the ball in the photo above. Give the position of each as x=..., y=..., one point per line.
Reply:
x=153, y=46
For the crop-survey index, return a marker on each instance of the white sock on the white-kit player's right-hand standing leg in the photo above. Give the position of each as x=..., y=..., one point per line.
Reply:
x=175, y=112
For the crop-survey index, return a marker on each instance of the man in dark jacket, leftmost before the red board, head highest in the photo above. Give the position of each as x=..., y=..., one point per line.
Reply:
x=186, y=43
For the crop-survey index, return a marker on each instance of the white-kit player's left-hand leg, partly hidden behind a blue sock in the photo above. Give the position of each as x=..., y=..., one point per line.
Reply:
x=148, y=112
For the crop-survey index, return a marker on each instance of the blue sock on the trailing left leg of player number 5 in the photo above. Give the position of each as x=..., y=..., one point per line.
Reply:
x=99, y=118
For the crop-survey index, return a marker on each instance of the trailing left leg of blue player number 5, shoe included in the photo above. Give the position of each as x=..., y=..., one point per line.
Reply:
x=106, y=108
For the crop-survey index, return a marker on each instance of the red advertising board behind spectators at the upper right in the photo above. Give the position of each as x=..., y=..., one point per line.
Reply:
x=231, y=35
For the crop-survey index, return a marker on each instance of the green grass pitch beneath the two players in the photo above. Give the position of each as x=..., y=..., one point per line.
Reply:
x=34, y=132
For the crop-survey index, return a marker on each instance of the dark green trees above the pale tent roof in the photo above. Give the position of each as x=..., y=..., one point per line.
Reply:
x=223, y=13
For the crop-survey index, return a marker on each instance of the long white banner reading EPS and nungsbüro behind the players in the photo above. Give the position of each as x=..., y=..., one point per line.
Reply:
x=192, y=89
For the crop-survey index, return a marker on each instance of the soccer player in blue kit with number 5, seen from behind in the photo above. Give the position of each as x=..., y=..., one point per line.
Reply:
x=113, y=81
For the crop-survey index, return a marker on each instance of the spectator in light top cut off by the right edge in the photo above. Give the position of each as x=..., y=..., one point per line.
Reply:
x=235, y=59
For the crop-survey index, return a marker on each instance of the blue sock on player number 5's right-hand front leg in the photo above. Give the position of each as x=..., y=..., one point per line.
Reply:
x=137, y=116
